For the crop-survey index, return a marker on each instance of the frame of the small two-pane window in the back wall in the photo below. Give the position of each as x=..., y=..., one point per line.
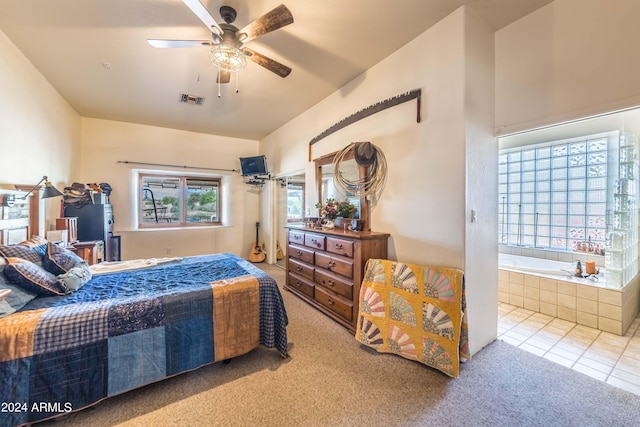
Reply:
x=182, y=196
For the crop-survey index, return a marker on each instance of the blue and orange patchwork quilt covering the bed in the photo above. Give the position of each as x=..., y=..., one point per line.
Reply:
x=124, y=330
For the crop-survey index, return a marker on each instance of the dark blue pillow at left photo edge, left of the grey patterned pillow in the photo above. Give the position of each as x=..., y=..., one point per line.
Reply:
x=32, y=277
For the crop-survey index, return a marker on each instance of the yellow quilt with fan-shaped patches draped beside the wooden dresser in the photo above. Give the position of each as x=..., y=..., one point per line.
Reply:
x=417, y=312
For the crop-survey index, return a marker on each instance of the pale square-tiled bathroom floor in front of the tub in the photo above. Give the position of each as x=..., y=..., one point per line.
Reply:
x=607, y=357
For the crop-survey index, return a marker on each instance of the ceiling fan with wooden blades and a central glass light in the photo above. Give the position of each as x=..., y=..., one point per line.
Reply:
x=228, y=52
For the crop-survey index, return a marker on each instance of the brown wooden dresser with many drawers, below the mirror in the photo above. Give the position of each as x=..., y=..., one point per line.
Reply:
x=325, y=268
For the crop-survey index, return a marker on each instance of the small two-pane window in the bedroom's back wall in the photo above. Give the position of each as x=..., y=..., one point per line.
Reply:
x=178, y=201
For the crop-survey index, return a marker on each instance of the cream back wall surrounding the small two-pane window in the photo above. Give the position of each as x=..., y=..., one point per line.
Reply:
x=106, y=142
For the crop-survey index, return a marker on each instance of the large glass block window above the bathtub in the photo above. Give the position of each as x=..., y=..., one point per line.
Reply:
x=554, y=194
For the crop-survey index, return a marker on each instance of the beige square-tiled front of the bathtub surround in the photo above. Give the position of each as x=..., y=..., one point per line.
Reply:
x=610, y=310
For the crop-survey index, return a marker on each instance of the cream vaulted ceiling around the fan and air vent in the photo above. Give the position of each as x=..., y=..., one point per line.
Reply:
x=95, y=53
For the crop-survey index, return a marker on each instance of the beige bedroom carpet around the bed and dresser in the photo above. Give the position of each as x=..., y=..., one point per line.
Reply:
x=331, y=380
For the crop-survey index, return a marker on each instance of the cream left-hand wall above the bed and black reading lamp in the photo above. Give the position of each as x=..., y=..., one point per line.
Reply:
x=39, y=131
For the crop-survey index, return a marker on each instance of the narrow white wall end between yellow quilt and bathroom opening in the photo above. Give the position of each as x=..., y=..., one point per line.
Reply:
x=481, y=255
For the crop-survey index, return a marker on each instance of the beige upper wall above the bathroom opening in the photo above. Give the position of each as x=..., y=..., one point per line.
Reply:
x=568, y=60
